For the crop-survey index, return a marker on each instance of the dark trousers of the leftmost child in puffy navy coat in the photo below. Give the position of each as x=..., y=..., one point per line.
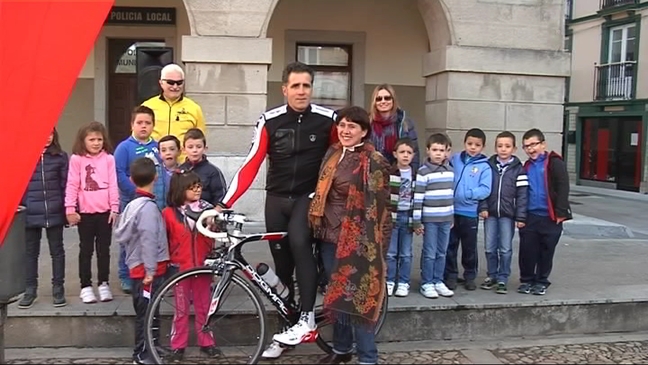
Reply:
x=57, y=252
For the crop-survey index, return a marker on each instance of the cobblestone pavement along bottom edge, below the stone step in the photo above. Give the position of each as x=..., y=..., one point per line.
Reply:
x=599, y=353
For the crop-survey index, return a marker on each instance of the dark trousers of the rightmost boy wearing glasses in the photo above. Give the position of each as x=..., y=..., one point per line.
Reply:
x=538, y=241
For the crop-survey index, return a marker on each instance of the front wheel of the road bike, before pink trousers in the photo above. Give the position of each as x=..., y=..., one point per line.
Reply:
x=238, y=328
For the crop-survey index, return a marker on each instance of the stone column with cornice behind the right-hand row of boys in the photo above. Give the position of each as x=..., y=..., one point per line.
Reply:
x=495, y=89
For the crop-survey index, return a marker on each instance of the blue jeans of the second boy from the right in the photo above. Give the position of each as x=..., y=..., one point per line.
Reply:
x=498, y=236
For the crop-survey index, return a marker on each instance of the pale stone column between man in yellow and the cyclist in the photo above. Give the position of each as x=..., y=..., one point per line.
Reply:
x=228, y=78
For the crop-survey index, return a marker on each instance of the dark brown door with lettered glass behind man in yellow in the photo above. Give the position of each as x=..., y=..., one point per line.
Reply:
x=122, y=84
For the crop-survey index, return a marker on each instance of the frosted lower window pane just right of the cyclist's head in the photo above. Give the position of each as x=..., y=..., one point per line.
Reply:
x=331, y=89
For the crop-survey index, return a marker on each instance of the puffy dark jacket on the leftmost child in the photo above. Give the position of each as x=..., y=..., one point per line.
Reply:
x=46, y=191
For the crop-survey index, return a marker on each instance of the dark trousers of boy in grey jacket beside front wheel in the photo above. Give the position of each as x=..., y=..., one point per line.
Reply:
x=140, y=304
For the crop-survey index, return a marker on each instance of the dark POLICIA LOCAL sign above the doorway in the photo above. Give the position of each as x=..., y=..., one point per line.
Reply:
x=125, y=15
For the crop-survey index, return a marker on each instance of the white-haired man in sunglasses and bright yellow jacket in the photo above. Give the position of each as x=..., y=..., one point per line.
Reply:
x=175, y=113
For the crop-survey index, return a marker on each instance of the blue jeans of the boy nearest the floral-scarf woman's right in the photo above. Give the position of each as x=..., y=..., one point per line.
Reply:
x=399, y=255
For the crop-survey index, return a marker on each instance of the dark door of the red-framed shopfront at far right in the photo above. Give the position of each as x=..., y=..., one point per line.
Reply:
x=629, y=154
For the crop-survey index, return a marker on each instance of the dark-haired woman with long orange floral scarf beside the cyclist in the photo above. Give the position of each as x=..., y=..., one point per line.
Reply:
x=350, y=215
